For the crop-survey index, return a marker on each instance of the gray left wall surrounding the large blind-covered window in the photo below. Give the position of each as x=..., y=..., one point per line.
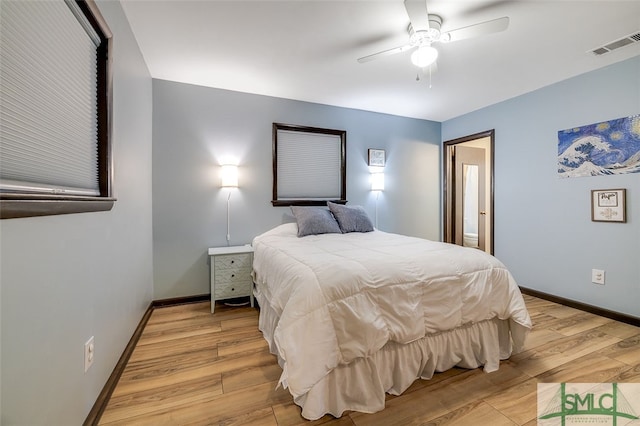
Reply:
x=66, y=278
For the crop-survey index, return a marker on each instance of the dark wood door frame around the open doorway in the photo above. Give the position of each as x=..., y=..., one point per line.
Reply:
x=449, y=193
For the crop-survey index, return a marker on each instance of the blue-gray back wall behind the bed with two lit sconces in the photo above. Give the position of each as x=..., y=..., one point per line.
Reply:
x=195, y=129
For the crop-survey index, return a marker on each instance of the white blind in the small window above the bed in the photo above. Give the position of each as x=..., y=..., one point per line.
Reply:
x=308, y=165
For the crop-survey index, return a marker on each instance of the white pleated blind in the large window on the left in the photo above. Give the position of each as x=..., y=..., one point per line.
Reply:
x=48, y=87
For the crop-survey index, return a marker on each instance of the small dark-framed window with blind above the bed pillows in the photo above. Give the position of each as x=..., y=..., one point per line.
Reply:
x=309, y=165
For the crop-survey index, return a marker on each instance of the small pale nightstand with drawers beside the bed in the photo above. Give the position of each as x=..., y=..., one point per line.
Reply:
x=231, y=269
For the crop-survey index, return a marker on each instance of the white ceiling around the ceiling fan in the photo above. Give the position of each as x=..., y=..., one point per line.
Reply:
x=307, y=50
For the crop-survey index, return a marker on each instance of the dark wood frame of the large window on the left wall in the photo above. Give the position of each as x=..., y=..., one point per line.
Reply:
x=25, y=204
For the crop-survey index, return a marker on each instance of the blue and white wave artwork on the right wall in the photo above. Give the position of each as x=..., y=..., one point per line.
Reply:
x=607, y=148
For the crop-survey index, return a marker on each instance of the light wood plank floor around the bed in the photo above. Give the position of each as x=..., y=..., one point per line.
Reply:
x=194, y=368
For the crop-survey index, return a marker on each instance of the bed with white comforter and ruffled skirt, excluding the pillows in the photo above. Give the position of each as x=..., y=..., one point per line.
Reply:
x=352, y=316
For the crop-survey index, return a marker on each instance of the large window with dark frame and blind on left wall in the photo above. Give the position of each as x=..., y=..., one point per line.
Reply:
x=54, y=109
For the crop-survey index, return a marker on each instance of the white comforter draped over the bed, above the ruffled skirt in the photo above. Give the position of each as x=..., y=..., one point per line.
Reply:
x=344, y=296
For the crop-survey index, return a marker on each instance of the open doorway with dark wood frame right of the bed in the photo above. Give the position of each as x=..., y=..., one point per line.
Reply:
x=468, y=191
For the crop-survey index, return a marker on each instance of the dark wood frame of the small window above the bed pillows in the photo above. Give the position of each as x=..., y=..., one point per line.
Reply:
x=278, y=202
